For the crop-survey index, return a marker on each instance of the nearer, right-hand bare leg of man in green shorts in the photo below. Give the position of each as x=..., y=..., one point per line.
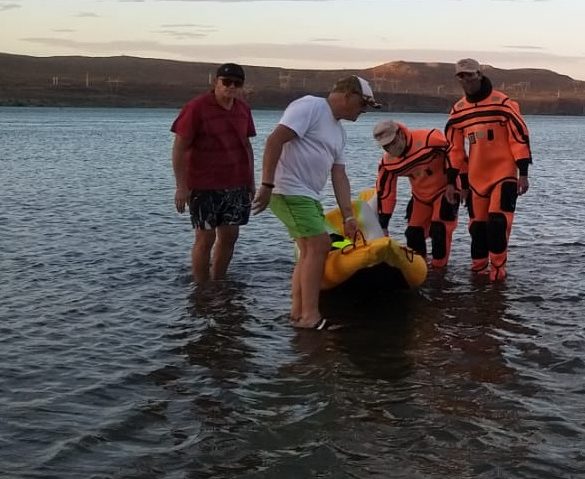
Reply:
x=314, y=250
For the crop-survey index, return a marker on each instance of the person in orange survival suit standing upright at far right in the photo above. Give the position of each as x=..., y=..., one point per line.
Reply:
x=494, y=171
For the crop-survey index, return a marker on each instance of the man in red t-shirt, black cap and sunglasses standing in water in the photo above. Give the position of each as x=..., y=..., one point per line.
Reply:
x=213, y=163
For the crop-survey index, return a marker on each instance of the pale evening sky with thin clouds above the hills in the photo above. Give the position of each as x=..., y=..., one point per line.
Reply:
x=314, y=34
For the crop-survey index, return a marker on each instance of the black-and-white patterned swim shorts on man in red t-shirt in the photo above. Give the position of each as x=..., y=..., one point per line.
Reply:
x=212, y=208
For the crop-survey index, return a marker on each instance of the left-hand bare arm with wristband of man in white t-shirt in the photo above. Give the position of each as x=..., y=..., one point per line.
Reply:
x=272, y=152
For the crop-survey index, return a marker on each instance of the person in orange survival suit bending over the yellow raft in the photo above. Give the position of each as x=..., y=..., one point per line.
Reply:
x=420, y=155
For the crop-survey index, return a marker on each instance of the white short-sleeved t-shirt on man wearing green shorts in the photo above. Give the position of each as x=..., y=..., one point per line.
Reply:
x=306, y=160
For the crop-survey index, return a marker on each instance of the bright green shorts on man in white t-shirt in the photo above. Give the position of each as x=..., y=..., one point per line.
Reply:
x=303, y=216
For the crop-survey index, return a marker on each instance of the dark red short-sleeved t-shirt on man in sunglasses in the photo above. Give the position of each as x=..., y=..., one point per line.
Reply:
x=218, y=157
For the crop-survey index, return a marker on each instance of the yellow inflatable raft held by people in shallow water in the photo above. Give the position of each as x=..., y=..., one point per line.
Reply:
x=373, y=261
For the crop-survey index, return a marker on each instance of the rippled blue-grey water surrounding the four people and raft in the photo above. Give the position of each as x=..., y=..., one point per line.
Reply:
x=113, y=365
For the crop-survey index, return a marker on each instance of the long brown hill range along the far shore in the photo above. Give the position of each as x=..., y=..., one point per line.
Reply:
x=144, y=82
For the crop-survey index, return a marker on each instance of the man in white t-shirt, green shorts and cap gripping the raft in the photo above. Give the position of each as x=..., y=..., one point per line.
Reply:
x=304, y=147
